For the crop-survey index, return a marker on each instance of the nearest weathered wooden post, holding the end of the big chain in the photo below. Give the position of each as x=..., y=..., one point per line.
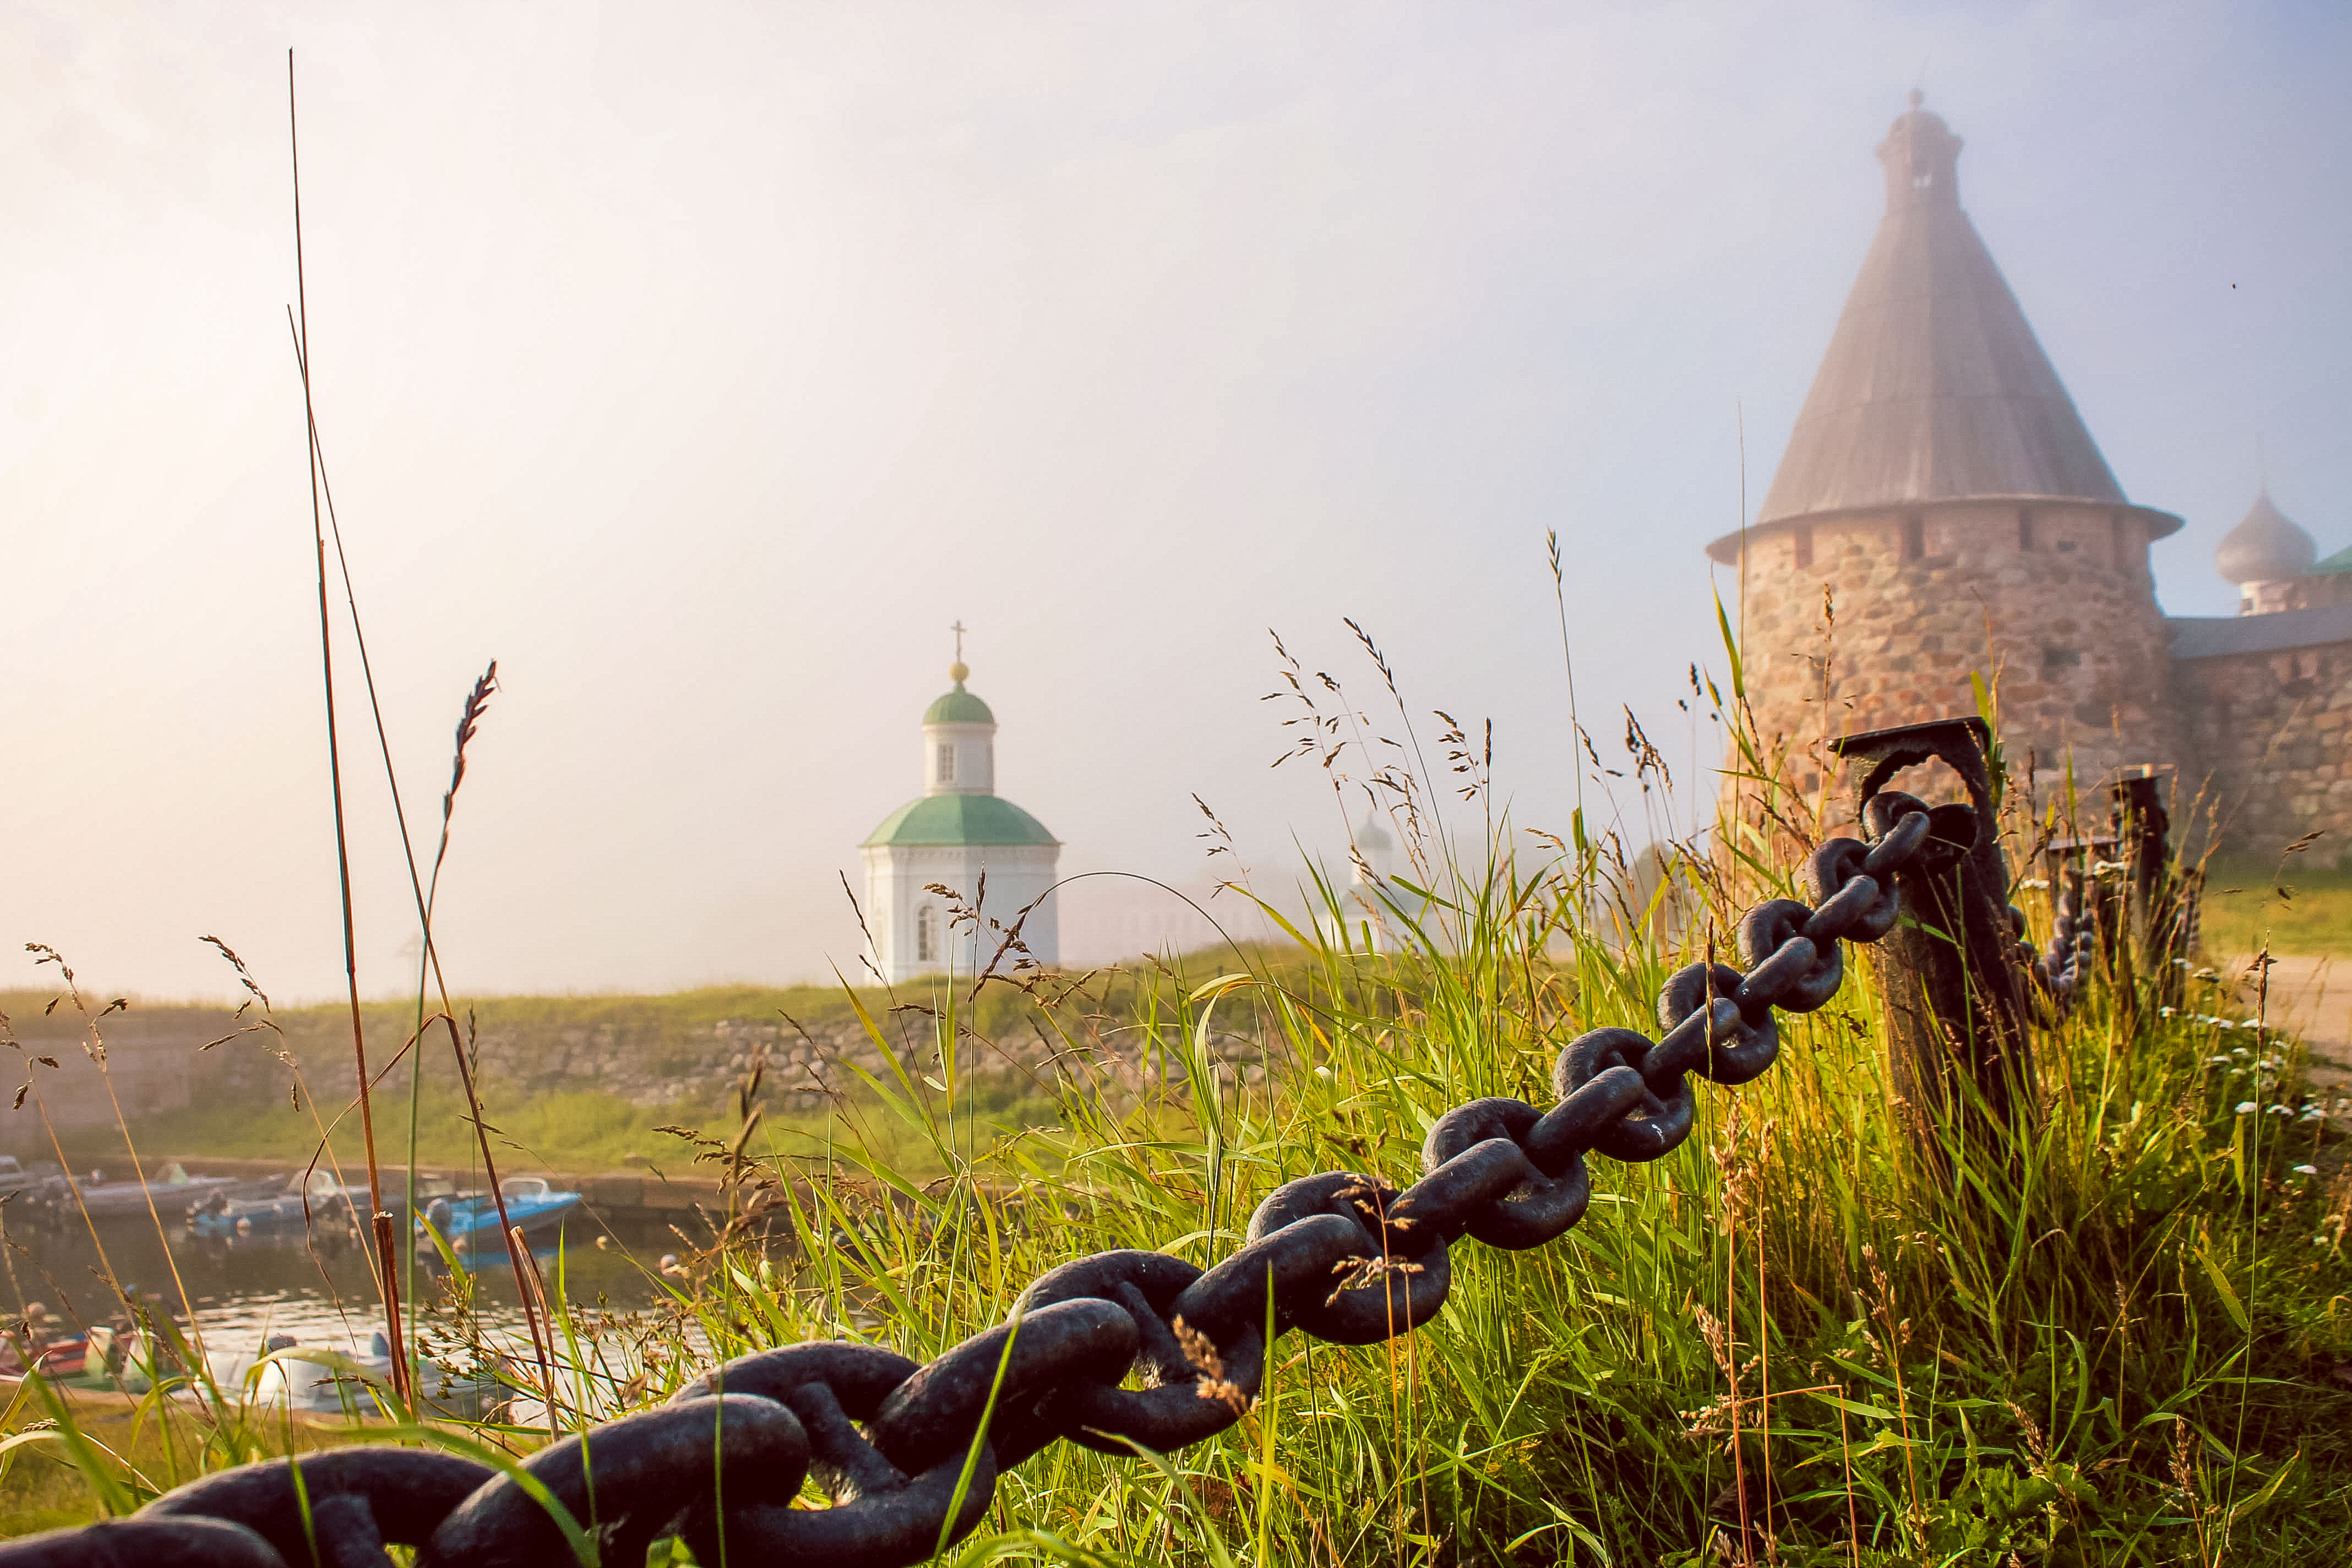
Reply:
x=1956, y=1005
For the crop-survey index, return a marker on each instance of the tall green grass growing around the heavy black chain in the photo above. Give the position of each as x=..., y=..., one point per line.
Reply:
x=2118, y=1353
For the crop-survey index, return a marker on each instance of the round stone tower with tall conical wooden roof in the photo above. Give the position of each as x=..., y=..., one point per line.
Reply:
x=1946, y=502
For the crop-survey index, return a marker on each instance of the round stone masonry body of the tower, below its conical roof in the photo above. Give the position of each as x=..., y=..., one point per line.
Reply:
x=2057, y=598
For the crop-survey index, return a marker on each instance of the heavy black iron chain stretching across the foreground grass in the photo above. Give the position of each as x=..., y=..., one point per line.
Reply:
x=911, y=1454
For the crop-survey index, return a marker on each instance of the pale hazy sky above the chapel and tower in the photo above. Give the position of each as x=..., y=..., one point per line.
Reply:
x=704, y=363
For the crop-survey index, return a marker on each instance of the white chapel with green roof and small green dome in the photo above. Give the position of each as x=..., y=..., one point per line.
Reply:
x=949, y=836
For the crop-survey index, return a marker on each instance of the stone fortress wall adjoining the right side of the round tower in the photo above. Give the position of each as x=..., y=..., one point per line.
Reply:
x=2273, y=735
